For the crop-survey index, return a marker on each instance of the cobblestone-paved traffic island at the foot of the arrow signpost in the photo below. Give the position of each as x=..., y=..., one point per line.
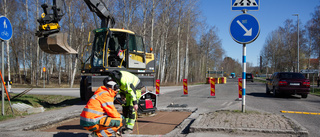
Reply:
x=252, y=121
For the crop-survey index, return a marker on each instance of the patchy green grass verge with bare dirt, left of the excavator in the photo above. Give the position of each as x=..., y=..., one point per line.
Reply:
x=49, y=102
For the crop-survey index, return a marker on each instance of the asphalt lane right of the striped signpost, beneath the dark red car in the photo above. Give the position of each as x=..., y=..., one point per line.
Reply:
x=257, y=98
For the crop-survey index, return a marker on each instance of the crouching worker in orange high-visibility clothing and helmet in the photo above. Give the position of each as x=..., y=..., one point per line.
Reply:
x=100, y=115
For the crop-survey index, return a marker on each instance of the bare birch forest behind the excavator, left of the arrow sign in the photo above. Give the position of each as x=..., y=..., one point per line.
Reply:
x=184, y=46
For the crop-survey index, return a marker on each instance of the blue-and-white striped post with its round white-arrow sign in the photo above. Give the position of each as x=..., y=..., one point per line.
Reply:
x=244, y=29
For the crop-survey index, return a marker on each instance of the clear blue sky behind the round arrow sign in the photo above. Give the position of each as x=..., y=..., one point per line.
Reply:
x=271, y=15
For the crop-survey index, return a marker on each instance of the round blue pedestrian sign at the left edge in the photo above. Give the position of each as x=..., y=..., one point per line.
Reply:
x=5, y=28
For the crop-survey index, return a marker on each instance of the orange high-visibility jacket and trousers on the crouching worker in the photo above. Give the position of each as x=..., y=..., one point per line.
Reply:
x=99, y=108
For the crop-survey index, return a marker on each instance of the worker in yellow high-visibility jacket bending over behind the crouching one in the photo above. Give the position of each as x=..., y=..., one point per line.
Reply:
x=131, y=87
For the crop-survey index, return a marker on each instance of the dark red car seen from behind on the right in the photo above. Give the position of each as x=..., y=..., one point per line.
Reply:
x=288, y=83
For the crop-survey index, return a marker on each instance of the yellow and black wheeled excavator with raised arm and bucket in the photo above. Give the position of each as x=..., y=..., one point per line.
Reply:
x=111, y=49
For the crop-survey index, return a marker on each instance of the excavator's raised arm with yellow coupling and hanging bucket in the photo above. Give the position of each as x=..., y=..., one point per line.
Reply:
x=51, y=40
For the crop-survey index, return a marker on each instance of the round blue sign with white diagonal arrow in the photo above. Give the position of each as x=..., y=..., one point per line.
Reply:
x=244, y=28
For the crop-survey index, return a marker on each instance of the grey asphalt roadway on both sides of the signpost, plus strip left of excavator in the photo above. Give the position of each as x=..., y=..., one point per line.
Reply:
x=226, y=95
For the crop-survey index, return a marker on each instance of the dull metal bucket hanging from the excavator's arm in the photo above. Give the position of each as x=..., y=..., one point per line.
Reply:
x=56, y=44
